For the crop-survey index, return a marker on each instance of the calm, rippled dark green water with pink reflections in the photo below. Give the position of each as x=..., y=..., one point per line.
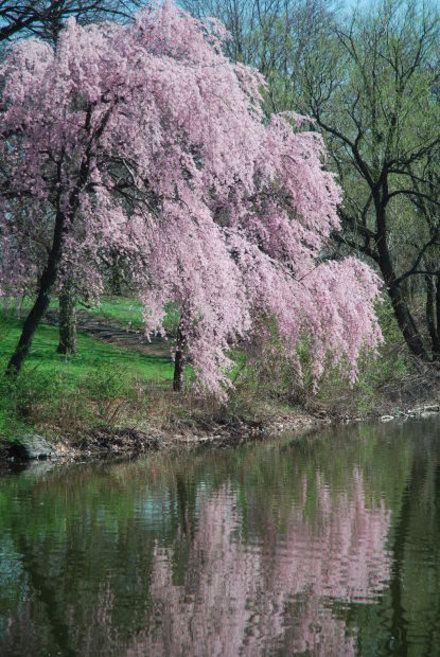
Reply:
x=323, y=547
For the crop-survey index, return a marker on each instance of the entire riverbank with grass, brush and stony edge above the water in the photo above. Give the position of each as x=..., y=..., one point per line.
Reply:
x=114, y=397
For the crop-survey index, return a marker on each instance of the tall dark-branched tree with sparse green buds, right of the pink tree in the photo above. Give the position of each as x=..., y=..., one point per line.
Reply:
x=370, y=86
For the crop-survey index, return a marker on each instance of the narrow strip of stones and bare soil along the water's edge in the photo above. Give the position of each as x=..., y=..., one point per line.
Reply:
x=130, y=442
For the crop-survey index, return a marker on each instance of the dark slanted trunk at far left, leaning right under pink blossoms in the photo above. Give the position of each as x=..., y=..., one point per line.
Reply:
x=41, y=304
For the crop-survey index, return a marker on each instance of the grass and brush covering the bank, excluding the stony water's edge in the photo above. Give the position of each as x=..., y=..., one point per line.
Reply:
x=109, y=386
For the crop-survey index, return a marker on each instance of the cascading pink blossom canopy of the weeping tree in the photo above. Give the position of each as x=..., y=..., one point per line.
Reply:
x=148, y=140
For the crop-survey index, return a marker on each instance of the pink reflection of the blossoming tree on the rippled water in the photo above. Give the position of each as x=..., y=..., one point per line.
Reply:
x=269, y=599
